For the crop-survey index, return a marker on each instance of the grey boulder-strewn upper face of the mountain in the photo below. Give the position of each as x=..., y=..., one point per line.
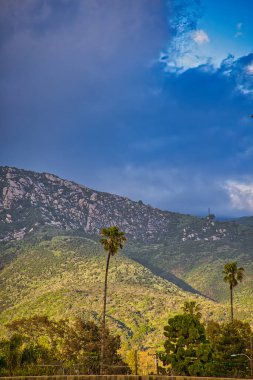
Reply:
x=29, y=200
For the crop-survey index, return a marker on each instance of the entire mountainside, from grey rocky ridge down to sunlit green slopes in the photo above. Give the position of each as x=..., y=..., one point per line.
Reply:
x=51, y=261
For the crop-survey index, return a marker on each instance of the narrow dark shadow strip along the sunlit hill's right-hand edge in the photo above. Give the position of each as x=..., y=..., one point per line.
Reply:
x=168, y=276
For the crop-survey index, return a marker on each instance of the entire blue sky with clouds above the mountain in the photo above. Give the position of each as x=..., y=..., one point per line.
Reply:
x=148, y=99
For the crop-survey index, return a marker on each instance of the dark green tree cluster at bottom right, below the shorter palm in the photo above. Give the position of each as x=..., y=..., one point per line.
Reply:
x=195, y=349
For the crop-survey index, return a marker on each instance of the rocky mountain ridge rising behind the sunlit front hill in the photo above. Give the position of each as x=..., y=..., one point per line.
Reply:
x=184, y=250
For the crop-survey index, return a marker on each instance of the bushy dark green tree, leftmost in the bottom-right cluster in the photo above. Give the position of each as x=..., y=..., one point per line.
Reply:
x=186, y=348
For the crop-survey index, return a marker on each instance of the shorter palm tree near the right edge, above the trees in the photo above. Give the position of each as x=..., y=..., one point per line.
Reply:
x=233, y=274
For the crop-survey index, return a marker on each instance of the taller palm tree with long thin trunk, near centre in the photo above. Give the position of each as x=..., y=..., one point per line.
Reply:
x=112, y=240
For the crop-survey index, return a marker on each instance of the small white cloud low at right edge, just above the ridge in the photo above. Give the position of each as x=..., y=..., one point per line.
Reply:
x=240, y=194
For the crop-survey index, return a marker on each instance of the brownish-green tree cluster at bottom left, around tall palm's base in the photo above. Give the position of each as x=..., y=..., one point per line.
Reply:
x=39, y=345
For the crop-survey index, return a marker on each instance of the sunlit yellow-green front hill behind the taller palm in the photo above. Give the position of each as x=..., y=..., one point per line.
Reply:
x=64, y=277
